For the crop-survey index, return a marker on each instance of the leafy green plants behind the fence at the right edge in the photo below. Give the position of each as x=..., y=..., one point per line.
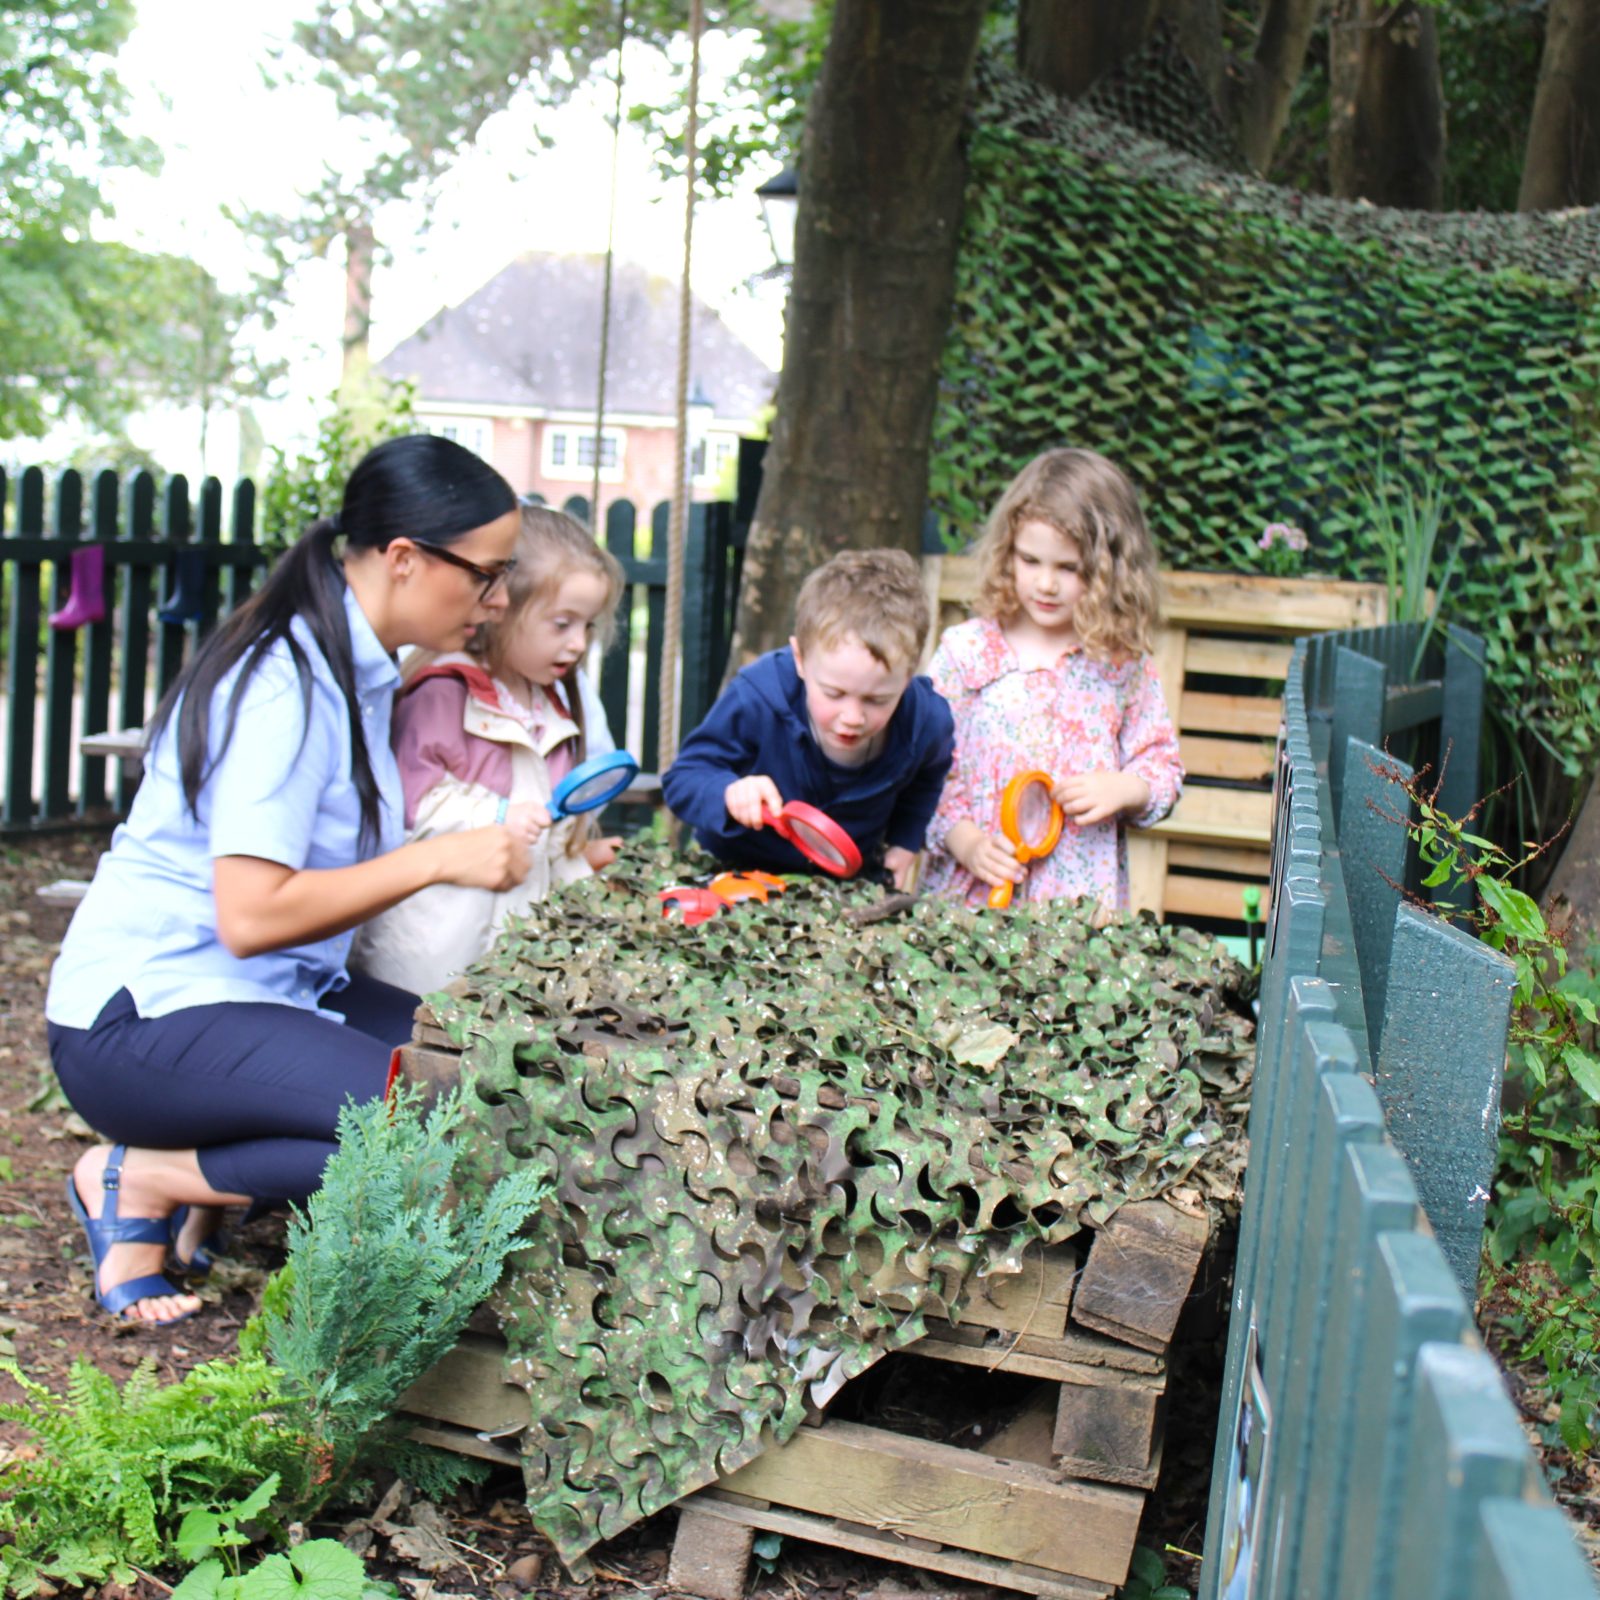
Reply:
x=1543, y=1241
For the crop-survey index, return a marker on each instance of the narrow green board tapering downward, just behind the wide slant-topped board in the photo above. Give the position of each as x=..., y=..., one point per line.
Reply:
x=1374, y=850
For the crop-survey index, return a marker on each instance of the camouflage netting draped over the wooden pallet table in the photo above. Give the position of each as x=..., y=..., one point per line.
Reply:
x=783, y=1138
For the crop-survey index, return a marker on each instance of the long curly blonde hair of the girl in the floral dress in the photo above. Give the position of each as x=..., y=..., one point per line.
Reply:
x=1087, y=498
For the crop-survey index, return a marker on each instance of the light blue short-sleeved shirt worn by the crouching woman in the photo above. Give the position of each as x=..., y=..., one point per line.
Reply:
x=286, y=793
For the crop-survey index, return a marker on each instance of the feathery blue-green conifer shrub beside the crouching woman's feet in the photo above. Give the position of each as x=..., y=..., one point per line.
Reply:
x=386, y=1271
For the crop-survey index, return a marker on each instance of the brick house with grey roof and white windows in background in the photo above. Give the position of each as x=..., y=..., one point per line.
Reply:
x=513, y=372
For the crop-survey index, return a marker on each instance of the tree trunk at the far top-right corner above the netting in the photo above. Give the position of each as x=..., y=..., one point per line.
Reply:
x=1562, y=167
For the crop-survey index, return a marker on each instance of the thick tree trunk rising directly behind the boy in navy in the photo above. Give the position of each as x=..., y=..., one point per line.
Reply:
x=881, y=206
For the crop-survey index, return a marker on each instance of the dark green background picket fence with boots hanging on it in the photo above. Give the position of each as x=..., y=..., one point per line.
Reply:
x=114, y=671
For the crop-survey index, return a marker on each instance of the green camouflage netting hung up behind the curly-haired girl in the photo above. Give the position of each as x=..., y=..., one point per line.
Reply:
x=1252, y=354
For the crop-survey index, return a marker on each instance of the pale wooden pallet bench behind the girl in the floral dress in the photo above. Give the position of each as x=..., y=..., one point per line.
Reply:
x=1222, y=655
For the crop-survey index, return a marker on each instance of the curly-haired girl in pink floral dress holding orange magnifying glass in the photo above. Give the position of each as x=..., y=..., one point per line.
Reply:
x=1055, y=674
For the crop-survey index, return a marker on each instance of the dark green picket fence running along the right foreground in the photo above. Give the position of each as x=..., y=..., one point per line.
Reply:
x=1367, y=1446
